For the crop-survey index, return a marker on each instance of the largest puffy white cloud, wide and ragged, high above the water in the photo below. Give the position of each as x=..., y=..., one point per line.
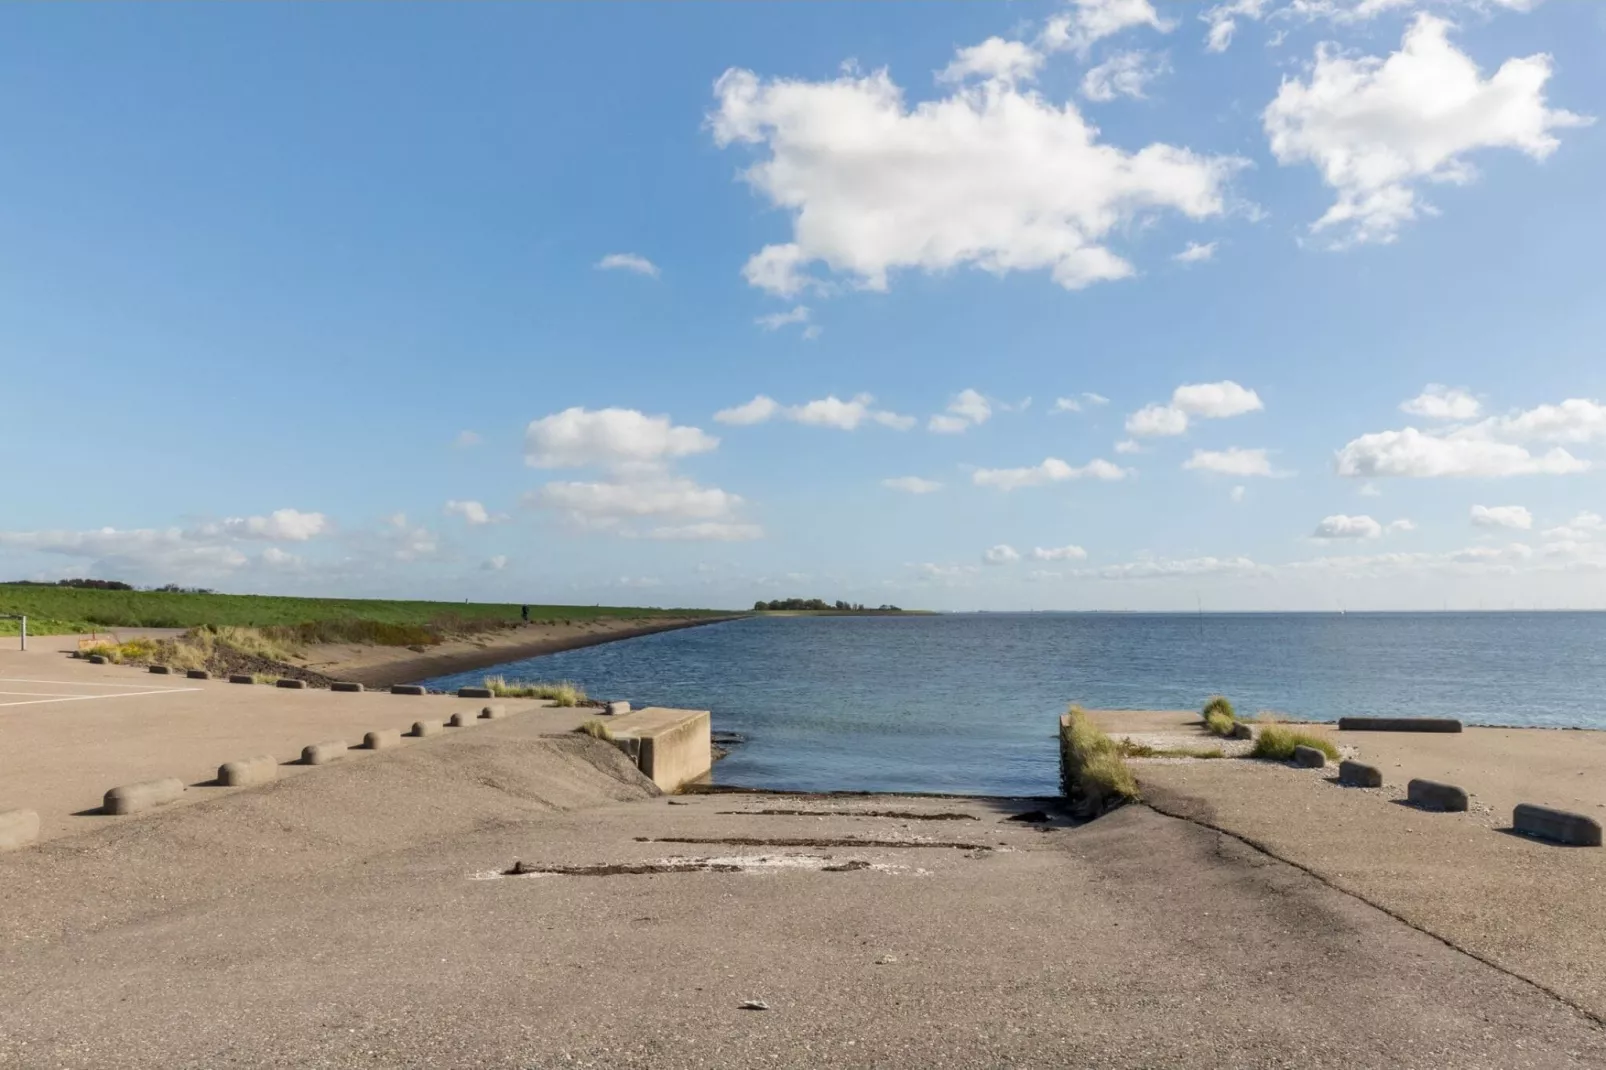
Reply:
x=992, y=176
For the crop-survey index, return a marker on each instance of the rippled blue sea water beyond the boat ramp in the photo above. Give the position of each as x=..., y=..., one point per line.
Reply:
x=969, y=703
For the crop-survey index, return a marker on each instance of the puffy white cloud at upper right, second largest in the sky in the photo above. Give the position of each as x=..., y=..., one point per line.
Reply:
x=1377, y=129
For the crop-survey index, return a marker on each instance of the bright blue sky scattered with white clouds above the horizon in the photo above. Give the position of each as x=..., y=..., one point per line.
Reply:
x=672, y=304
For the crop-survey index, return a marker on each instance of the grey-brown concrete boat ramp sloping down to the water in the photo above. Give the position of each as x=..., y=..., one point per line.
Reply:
x=521, y=897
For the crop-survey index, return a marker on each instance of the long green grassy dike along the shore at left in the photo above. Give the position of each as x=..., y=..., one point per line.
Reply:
x=70, y=610
